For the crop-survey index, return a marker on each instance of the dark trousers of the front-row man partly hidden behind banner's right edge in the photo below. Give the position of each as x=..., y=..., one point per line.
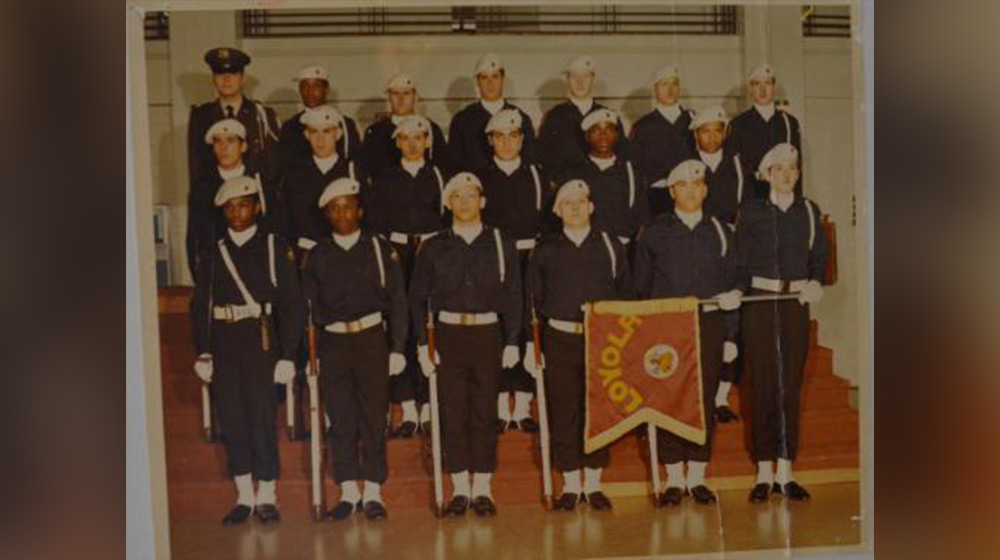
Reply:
x=671, y=448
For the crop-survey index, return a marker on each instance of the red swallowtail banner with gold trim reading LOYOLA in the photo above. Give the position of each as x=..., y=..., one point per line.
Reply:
x=643, y=365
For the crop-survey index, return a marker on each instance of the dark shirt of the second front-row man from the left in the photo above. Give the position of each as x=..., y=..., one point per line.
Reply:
x=345, y=285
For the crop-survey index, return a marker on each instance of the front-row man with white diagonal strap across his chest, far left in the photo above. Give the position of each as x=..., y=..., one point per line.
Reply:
x=248, y=317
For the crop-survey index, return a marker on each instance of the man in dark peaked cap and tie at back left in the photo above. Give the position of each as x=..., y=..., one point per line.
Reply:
x=259, y=120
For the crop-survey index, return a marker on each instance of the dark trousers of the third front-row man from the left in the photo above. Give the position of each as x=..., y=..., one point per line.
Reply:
x=468, y=381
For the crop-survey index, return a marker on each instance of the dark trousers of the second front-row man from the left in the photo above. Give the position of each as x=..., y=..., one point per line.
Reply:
x=354, y=378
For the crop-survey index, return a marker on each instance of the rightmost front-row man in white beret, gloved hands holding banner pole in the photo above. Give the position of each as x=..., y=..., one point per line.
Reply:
x=782, y=249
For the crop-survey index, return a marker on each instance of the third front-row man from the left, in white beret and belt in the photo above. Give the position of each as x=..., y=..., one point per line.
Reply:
x=469, y=276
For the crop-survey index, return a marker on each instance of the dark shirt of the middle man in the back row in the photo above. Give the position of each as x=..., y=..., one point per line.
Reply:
x=467, y=142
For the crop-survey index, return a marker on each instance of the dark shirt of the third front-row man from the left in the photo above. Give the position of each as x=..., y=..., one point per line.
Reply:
x=466, y=278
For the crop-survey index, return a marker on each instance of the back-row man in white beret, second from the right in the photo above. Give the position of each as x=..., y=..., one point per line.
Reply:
x=660, y=139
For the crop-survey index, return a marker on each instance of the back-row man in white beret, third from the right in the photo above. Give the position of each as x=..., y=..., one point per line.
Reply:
x=561, y=145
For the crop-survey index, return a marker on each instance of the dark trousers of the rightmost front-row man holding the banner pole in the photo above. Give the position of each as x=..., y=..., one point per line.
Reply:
x=776, y=335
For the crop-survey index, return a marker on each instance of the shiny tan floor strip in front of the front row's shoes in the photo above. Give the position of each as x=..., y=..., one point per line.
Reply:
x=633, y=528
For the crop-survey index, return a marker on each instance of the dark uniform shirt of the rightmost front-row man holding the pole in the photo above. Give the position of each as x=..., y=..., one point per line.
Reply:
x=775, y=244
